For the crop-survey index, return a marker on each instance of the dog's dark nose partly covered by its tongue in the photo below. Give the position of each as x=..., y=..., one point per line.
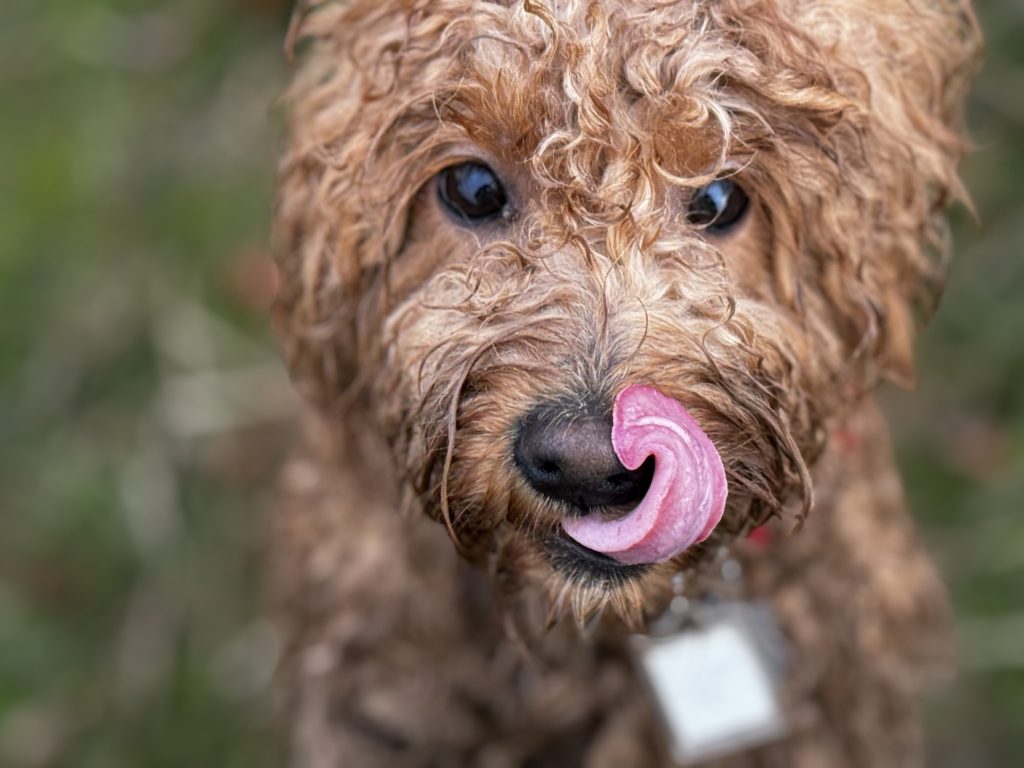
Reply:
x=573, y=461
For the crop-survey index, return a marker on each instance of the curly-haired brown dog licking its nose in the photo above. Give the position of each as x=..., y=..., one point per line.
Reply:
x=605, y=288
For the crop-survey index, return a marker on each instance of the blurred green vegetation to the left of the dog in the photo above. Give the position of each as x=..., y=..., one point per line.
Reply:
x=141, y=401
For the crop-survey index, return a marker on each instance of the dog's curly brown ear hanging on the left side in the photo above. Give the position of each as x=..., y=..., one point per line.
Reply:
x=333, y=224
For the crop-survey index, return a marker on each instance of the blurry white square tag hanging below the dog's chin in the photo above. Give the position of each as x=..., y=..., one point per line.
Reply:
x=713, y=684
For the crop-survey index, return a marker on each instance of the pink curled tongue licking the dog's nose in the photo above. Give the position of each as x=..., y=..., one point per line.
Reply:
x=688, y=493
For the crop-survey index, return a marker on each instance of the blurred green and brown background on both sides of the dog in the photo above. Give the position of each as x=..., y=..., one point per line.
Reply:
x=143, y=409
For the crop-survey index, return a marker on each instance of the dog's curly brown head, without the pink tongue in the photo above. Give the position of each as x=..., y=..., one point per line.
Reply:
x=495, y=218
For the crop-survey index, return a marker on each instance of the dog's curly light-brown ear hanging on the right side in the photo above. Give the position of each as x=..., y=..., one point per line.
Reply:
x=884, y=110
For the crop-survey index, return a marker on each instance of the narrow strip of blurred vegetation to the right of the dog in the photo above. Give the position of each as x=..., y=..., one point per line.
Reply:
x=961, y=436
